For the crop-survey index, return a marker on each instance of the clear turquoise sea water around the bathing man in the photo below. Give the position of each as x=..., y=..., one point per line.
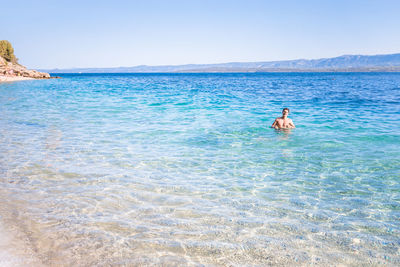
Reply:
x=183, y=169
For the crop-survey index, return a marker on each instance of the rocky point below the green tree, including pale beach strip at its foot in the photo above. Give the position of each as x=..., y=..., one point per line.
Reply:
x=15, y=72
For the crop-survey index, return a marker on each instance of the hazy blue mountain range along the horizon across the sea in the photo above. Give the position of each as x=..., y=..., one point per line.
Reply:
x=346, y=63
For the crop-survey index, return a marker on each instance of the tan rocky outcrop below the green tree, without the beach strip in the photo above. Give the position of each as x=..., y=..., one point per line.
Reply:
x=17, y=70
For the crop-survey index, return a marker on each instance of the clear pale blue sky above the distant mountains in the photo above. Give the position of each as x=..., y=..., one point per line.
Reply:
x=113, y=33
